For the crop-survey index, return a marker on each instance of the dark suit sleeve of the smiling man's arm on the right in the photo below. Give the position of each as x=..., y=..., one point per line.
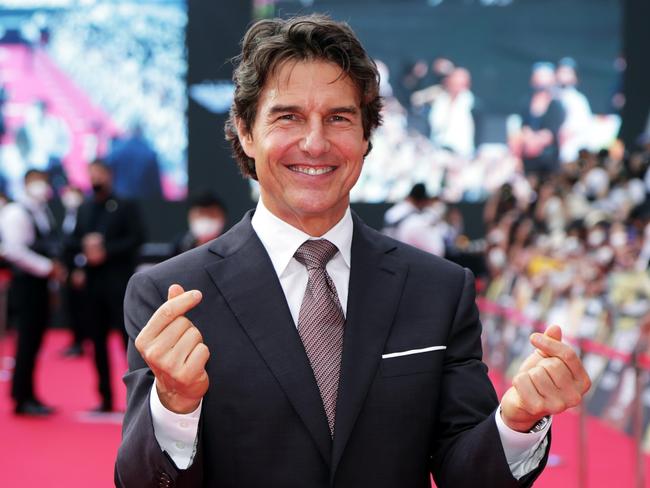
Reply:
x=467, y=446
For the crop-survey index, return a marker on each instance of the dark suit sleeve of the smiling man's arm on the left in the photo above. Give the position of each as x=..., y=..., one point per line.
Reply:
x=140, y=461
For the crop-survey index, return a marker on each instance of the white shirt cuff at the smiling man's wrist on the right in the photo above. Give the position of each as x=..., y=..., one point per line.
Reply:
x=523, y=451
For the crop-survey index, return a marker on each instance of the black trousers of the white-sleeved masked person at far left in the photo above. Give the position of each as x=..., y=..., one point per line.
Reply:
x=31, y=299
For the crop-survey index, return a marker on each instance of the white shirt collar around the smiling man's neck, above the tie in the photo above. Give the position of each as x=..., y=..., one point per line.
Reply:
x=281, y=240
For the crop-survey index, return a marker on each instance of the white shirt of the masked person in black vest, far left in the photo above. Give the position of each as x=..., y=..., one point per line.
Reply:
x=17, y=234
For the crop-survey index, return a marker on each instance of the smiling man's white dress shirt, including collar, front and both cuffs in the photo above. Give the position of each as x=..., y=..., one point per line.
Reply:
x=177, y=434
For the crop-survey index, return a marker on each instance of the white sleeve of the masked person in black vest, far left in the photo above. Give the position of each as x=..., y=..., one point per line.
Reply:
x=16, y=235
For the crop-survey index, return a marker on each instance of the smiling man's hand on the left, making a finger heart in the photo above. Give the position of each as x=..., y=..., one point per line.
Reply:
x=174, y=350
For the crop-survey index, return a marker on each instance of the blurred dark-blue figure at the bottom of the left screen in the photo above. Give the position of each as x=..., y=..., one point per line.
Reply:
x=134, y=165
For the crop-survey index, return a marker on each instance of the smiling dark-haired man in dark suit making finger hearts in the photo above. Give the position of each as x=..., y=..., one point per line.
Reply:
x=308, y=349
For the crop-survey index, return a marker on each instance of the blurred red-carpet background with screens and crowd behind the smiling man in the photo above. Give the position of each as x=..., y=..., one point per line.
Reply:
x=516, y=142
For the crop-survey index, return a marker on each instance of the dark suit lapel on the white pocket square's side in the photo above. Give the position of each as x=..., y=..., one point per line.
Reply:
x=376, y=281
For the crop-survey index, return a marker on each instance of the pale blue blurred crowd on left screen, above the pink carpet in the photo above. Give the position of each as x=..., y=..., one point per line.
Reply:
x=136, y=75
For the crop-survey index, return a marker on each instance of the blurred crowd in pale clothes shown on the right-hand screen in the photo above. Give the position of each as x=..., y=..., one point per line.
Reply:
x=436, y=127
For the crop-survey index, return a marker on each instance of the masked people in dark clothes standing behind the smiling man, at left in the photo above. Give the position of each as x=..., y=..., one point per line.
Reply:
x=83, y=249
